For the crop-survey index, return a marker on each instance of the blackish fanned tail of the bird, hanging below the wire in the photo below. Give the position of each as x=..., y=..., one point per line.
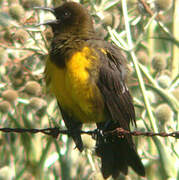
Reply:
x=116, y=156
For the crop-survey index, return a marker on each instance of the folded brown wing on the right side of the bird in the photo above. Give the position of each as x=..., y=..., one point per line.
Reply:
x=112, y=77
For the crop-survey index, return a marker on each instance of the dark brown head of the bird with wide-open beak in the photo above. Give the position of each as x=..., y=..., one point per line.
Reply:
x=70, y=17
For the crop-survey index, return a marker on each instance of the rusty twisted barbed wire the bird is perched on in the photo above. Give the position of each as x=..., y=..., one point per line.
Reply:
x=54, y=132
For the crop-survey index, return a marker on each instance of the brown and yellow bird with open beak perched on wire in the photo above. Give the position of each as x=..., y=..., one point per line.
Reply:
x=88, y=77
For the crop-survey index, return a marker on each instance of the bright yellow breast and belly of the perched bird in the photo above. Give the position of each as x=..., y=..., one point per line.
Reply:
x=75, y=91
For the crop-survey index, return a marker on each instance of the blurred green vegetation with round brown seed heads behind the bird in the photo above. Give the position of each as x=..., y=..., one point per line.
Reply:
x=146, y=30
